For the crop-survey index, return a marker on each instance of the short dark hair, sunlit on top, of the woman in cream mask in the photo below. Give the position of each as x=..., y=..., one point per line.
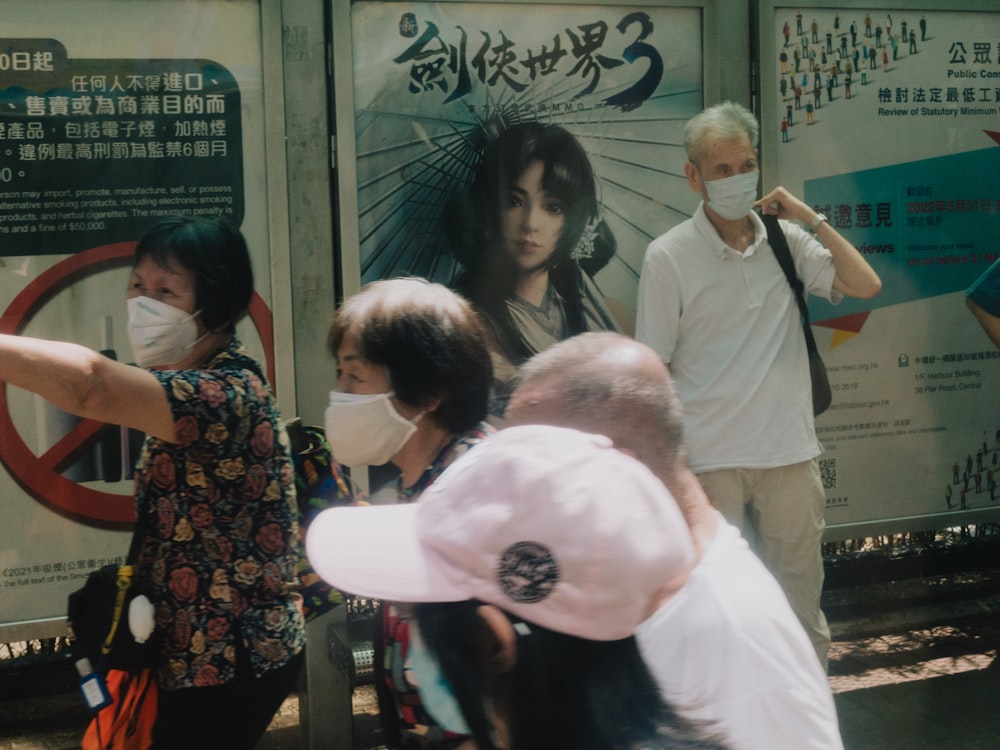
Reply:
x=430, y=339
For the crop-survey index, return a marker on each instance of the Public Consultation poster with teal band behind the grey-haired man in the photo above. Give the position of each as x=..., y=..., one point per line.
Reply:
x=887, y=121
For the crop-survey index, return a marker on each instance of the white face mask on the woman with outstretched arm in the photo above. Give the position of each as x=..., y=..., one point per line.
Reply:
x=160, y=334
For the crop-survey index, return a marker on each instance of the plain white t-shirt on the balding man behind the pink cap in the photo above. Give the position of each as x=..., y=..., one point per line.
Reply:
x=728, y=649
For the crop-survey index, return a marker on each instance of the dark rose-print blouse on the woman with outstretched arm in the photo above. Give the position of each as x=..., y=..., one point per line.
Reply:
x=219, y=554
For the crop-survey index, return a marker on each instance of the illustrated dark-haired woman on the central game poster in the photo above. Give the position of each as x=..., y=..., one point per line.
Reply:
x=529, y=237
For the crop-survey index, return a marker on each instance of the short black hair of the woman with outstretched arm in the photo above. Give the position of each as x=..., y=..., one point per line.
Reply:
x=216, y=253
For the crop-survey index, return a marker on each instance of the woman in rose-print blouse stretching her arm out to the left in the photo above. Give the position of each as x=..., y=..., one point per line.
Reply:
x=214, y=480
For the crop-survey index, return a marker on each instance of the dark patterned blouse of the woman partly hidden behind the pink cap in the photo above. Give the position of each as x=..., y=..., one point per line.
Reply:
x=397, y=696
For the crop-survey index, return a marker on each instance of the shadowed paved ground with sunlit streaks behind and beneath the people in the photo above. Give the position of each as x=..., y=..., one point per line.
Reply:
x=912, y=666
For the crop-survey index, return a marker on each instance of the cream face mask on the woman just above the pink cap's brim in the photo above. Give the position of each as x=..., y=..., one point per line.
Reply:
x=366, y=430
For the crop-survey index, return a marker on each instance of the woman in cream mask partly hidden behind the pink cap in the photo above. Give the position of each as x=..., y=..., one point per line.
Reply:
x=413, y=383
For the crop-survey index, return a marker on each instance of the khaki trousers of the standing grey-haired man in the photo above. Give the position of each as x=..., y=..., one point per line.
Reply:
x=780, y=512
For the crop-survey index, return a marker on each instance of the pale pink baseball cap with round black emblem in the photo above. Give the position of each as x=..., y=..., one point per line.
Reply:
x=549, y=524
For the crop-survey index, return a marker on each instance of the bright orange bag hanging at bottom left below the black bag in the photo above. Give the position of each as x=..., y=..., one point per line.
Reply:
x=127, y=723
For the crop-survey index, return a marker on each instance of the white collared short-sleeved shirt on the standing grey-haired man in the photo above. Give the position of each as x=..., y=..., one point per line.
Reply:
x=728, y=326
